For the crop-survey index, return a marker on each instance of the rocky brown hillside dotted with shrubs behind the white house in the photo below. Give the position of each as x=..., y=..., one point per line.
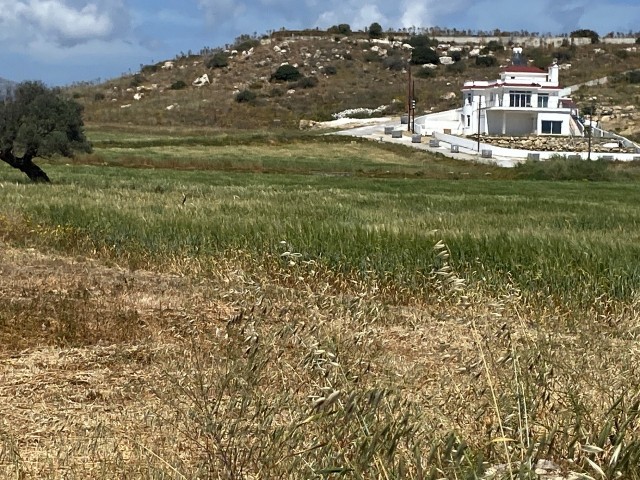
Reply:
x=338, y=73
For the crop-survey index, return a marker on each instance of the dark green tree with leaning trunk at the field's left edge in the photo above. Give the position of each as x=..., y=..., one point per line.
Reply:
x=36, y=121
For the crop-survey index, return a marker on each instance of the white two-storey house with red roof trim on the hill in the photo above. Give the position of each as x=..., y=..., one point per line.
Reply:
x=525, y=100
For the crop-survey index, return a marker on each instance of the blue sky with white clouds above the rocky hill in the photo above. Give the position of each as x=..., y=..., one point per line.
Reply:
x=61, y=42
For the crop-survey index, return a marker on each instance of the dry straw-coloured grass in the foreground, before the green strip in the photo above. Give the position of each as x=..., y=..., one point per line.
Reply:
x=299, y=373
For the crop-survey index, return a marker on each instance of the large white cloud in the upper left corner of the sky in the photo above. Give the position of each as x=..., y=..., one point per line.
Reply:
x=62, y=22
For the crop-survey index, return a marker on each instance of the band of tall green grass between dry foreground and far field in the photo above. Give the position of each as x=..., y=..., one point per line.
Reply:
x=570, y=241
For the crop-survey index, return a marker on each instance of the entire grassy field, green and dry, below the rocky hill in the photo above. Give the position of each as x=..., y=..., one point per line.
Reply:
x=224, y=307
